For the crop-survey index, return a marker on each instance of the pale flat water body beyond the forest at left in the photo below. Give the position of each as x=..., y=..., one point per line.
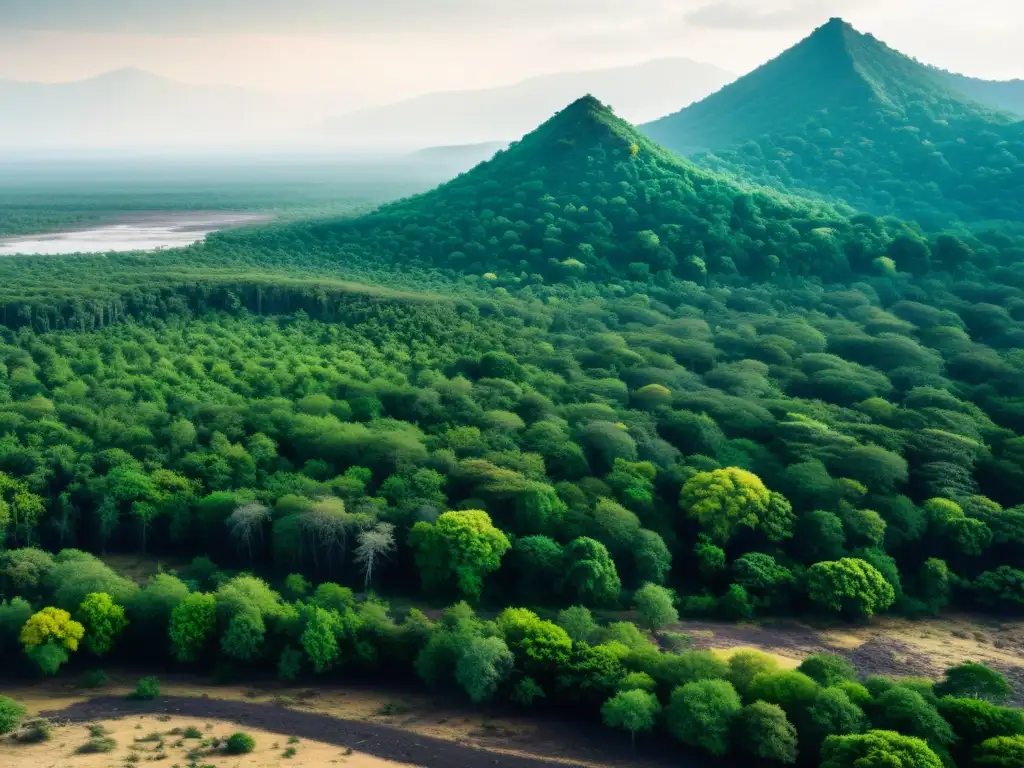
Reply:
x=136, y=233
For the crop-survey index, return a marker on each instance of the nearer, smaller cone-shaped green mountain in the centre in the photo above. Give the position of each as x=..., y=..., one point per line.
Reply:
x=587, y=195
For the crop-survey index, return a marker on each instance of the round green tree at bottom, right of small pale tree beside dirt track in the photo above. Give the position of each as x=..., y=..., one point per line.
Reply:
x=701, y=714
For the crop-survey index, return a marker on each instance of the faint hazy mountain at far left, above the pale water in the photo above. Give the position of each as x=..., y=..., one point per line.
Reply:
x=135, y=108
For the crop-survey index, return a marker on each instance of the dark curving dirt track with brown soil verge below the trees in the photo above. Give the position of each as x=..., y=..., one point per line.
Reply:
x=389, y=724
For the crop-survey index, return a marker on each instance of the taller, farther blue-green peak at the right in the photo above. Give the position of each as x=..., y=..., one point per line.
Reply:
x=843, y=115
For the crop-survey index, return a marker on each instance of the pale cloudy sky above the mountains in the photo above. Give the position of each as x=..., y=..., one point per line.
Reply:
x=387, y=50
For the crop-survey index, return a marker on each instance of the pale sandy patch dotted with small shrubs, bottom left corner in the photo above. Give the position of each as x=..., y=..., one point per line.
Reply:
x=149, y=738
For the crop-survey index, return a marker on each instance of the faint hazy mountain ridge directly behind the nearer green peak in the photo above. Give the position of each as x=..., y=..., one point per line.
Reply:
x=638, y=93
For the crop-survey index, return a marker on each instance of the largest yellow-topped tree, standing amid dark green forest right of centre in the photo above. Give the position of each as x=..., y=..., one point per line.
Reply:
x=728, y=501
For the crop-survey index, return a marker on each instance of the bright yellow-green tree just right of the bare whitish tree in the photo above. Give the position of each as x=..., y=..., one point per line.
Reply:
x=461, y=545
